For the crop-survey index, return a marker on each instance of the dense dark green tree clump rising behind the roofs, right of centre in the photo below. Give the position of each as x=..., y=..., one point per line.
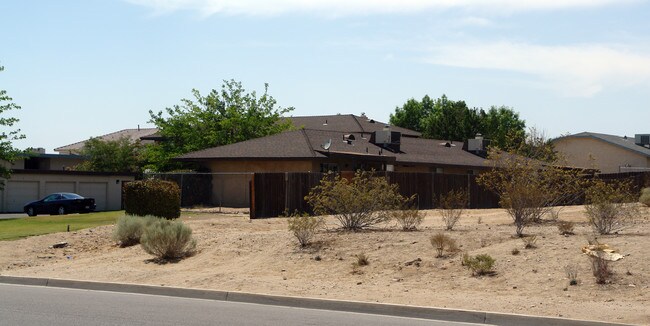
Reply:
x=443, y=118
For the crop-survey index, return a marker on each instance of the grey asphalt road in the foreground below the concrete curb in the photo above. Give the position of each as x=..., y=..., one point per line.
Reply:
x=35, y=305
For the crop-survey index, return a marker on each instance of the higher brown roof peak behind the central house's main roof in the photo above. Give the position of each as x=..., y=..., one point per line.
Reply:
x=346, y=123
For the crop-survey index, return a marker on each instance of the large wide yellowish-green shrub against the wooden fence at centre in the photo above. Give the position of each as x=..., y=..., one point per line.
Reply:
x=361, y=202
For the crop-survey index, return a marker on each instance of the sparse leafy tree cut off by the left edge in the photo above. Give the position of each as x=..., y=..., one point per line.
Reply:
x=7, y=151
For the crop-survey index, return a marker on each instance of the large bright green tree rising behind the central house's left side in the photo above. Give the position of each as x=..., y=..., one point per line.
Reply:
x=219, y=118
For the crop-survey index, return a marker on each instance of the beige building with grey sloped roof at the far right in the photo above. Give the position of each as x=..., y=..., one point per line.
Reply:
x=607, y=153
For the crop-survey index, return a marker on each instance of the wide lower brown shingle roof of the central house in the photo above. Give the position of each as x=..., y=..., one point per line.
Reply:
x=308, y=144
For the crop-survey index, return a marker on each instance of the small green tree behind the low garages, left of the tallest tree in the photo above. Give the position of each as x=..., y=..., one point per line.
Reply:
x=120, y=155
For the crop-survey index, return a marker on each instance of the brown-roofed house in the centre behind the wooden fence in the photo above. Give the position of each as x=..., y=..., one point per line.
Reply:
x=329, y=143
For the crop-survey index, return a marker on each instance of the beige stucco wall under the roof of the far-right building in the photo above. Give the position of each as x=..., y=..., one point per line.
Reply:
x=606, y=157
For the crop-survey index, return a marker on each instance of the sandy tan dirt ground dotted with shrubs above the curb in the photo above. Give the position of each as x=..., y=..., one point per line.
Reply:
x=261, y=256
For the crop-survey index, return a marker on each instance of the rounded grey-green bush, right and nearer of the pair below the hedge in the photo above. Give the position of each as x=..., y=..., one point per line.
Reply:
x=168, y=239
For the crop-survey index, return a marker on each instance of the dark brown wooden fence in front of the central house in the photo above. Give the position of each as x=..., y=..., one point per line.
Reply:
x=274, y=193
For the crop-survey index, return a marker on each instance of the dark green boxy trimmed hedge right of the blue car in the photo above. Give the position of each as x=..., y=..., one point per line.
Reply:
x=153, y=197
